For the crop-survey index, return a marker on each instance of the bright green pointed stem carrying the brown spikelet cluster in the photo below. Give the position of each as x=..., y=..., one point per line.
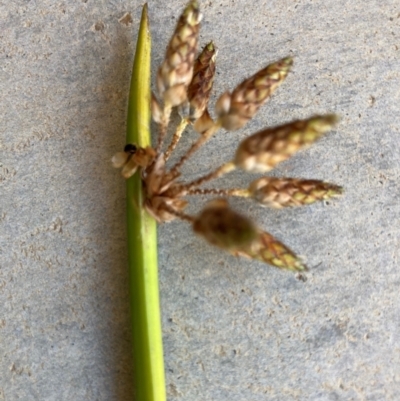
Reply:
x=142, y=239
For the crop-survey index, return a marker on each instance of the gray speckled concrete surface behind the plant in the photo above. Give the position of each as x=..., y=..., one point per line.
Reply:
x=233, y=329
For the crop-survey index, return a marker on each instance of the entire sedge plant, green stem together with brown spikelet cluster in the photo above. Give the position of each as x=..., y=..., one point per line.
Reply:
x=157, y=192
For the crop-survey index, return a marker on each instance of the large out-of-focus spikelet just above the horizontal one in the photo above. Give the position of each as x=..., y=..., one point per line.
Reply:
x=262, y=151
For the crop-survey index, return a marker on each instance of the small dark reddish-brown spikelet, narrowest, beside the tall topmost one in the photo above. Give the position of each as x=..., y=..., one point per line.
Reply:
x=200, y=87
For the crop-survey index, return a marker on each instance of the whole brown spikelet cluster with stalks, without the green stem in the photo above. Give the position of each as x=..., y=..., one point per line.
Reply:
x=185, y=82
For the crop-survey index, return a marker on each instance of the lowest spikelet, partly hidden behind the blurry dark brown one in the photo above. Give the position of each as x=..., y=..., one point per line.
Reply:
x=268, y=249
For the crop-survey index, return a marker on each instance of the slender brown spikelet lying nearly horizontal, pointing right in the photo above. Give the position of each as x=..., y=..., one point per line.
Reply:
x=284, y=192
